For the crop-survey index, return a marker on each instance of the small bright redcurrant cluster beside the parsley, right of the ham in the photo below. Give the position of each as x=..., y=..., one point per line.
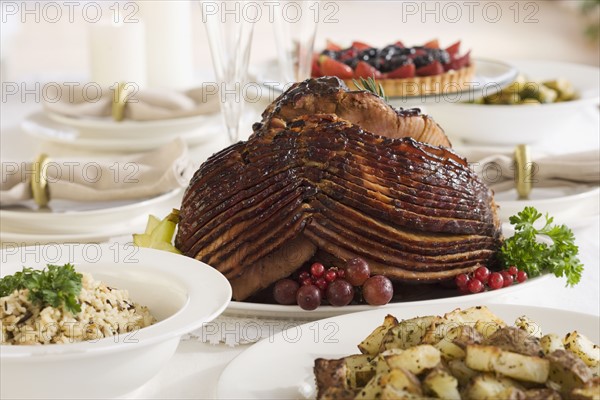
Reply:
x=482, y=277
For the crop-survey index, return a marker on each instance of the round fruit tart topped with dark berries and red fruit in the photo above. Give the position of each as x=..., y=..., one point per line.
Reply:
x=401, y=70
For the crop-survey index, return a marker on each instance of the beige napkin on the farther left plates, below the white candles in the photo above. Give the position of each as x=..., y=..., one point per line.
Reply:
x=143, y=105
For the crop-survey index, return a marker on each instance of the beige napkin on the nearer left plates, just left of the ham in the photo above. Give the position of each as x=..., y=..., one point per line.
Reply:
x=124, y=178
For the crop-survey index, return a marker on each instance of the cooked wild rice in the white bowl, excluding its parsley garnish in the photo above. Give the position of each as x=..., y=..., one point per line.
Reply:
x=105, y=312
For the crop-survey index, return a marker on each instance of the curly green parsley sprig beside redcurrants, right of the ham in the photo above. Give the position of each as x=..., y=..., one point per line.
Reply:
x=526, y=253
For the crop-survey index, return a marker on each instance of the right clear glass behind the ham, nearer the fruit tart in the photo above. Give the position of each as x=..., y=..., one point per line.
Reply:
x=295, y=25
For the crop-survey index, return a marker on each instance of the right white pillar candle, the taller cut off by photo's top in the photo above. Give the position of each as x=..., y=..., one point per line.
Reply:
x=168, y=43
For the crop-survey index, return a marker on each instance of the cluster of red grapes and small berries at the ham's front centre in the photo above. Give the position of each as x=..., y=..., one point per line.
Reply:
x=337, y=286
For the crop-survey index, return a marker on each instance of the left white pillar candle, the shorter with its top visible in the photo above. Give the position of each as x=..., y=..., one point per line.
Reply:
x=118, y=53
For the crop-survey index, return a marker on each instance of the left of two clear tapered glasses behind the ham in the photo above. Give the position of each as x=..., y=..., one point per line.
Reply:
x=229, y=32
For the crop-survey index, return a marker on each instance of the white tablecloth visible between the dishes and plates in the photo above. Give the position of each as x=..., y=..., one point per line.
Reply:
x=200, y=359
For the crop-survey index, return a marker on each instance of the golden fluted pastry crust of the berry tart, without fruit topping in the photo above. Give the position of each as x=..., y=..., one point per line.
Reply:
x=448, y=82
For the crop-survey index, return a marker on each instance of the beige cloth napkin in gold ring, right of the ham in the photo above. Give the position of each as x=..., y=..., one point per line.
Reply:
x=497, y=170
